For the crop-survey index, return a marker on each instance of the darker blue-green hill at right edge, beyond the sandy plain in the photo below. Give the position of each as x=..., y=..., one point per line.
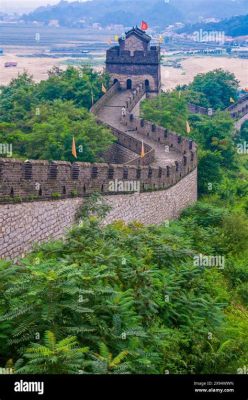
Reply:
x=236, y=26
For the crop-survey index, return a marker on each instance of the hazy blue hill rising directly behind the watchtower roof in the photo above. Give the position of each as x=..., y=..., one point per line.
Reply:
x=105, y=12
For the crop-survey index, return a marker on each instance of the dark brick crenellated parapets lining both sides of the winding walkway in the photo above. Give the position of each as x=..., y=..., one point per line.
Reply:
x=40, y=179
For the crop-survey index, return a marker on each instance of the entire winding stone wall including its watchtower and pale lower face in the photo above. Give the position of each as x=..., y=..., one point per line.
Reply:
x=39, y=200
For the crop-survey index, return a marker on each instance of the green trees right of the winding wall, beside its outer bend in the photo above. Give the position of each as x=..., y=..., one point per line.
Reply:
x=217, y=153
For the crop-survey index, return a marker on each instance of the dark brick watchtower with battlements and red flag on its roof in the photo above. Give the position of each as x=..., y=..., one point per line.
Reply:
x=134, y=61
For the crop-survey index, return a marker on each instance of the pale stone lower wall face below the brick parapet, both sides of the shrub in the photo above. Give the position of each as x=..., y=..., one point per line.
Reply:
x=22, y=225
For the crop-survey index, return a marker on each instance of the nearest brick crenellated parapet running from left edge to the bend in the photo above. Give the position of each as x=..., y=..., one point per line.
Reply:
x=33, y=180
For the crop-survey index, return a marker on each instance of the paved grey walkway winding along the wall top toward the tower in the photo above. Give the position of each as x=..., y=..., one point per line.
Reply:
x=110, y=113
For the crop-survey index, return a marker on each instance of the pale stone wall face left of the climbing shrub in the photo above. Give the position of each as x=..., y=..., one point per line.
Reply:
x=23, y=225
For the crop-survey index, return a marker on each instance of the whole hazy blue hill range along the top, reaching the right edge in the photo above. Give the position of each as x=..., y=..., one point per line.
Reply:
x=158, y=13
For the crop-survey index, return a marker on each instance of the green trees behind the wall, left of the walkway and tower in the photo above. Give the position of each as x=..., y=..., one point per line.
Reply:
x=41, y=119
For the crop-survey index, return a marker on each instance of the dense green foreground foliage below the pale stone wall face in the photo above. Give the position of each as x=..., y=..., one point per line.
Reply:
x=128, y=299
